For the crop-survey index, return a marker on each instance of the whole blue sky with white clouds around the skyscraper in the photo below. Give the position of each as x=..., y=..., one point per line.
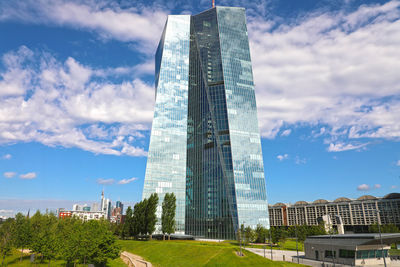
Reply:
x=77, y=96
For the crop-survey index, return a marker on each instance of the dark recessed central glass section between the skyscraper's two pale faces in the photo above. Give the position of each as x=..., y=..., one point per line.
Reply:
x=210, y=192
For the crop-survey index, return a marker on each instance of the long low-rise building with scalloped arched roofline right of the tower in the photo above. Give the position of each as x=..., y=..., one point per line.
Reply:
x=354, y=213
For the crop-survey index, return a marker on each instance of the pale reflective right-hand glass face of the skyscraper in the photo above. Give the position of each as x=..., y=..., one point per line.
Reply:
x=248, y=167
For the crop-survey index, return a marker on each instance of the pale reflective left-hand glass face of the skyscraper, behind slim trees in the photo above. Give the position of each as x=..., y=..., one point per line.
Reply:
x=166, y=162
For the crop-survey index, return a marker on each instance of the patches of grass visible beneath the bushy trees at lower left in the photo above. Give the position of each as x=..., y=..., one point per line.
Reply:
x=13, y=260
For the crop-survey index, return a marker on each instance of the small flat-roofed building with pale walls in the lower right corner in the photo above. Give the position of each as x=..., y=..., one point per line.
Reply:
x=350, y=249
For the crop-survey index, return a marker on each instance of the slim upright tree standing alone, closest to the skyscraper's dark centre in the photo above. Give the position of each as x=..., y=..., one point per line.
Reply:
x=168, y=214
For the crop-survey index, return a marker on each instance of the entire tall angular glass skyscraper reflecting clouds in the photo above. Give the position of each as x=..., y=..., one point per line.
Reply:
x=205, y=142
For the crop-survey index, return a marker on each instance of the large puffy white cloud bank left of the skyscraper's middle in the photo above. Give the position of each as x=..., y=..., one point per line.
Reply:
x=72, y=107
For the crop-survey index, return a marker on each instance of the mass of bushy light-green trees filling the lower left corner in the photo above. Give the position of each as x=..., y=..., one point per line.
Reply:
x=50, y=238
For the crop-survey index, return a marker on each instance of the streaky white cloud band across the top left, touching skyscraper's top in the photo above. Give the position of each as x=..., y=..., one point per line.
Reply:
x=142, y=26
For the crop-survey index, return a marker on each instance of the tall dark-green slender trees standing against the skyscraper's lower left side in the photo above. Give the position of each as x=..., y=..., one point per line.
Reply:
x=141, y=221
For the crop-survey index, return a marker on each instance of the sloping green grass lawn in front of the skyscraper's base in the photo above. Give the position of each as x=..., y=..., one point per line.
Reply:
x=195, y=253
